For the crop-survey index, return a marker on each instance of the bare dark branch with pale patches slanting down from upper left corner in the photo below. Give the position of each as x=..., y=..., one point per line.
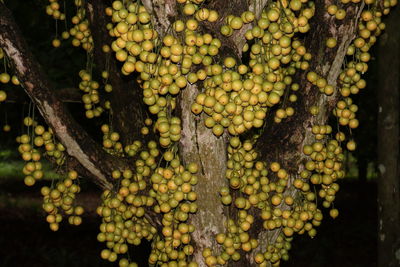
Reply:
x=76, y=140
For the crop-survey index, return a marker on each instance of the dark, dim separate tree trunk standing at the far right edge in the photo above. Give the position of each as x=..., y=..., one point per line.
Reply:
x=388, y=145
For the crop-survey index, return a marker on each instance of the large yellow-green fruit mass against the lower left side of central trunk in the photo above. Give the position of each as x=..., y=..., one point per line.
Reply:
x=166, y=190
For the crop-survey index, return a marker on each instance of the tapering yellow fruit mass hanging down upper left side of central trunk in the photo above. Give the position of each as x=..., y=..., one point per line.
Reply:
x=161, y=74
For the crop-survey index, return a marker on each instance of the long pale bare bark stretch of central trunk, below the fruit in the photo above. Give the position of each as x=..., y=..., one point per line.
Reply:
x=198, y=144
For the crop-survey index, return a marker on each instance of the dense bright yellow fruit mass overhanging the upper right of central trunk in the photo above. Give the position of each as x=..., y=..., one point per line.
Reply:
x=237, y=97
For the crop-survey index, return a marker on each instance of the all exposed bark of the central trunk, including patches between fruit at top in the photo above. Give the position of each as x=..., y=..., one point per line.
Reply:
x=198, y=144
